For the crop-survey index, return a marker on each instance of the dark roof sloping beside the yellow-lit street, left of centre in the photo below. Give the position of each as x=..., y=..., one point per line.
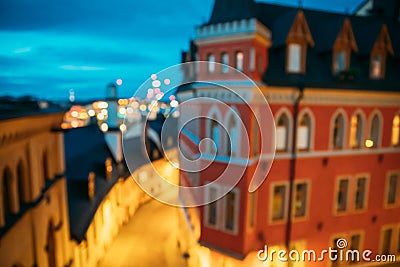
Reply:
x=85, y=151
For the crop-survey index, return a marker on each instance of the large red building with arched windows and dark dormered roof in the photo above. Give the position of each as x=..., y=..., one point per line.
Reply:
x=332, y=82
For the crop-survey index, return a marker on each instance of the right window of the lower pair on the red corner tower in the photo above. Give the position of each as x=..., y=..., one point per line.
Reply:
x=231, y=205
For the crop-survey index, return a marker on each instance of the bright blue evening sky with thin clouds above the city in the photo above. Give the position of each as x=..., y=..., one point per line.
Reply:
x=48, y=47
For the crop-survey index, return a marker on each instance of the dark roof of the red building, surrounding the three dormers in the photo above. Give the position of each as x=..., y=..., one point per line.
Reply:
x=324, y=27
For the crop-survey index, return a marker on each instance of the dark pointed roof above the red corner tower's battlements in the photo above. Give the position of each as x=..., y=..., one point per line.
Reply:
x=230, y=10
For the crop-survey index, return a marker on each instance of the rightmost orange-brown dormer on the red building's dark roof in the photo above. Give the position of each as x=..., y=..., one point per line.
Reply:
x=378, y=55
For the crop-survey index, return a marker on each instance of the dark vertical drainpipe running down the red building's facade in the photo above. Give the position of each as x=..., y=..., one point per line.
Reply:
x=293, y=161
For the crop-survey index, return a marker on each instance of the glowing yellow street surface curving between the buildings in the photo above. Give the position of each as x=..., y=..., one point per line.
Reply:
x=150, y=238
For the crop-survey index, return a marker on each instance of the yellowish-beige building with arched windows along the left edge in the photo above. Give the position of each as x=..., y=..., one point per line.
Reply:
x=34, y=226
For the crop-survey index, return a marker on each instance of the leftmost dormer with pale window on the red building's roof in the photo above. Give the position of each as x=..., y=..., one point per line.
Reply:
x=297, y=41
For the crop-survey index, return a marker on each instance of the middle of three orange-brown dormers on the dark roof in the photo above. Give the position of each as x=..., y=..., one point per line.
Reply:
x=345, y=43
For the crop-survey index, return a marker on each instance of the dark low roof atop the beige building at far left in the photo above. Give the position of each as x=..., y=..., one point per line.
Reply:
x=15, y=107
